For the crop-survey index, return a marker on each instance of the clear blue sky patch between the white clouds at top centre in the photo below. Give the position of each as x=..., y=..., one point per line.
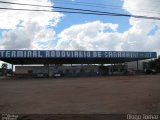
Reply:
x=72, y=19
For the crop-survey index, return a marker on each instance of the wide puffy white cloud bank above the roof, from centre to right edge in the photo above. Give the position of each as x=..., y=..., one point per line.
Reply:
x=95, y=36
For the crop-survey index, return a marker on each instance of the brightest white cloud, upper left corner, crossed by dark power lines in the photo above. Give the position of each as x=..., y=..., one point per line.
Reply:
x=10, y=18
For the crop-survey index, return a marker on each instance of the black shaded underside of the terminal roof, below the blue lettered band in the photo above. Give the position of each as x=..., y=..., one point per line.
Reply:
x=24, y=61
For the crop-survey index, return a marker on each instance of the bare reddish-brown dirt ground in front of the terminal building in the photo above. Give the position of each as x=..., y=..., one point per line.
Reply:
x=108, y=94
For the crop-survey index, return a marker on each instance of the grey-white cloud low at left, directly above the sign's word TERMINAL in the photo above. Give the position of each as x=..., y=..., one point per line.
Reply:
x=31, y=37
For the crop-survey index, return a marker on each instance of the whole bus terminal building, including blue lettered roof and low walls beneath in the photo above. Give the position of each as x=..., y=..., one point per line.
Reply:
x=73, y=63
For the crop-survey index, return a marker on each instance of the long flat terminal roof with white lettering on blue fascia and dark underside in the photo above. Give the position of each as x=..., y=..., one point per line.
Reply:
x=18, y=57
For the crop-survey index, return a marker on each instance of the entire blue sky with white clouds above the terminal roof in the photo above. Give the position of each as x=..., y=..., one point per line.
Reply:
x=63, y=31
